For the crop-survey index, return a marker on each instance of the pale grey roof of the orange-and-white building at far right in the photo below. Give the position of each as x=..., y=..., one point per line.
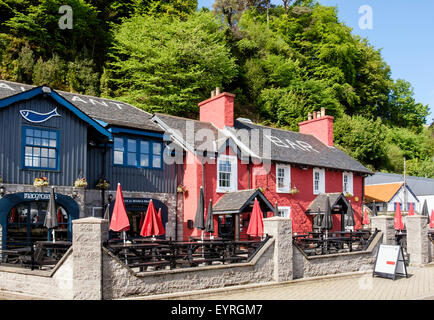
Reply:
x=419, y=185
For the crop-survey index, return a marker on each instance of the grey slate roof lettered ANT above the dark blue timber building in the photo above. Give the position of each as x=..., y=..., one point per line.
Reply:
x=110, y=111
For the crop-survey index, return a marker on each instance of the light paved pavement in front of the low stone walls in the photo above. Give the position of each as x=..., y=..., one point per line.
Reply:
x=419, y=286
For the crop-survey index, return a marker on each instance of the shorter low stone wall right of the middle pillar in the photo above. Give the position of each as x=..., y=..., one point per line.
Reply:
x=314, y=266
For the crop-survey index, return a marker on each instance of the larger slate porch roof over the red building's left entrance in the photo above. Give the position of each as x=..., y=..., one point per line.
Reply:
x=237, y=201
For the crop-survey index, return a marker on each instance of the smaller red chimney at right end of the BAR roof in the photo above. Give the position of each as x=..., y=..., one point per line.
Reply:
x=321, y=126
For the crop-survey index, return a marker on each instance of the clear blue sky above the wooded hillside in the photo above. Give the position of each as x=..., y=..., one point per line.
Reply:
x=403, y=30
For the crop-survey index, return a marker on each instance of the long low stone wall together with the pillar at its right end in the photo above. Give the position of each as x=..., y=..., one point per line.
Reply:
x=272, y=263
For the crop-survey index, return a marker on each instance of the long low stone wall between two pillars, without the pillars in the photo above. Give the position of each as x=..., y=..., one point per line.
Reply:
x=120, y=281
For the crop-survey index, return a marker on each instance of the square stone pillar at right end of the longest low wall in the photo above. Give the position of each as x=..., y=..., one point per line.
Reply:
x=281, y=231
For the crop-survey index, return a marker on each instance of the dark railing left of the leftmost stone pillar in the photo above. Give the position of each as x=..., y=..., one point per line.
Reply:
x=39, y=255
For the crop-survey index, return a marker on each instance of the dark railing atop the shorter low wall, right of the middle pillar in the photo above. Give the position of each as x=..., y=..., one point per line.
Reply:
x=318, y=243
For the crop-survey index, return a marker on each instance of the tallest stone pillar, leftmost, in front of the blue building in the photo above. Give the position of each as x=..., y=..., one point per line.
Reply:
x=88, y=236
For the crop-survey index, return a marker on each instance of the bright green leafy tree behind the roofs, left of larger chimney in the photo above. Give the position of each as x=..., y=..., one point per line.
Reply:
x=168, y=65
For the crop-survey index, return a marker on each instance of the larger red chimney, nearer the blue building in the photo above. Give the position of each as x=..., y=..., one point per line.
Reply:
x=219, y=109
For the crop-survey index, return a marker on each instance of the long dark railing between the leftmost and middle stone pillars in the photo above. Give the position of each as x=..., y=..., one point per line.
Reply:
x=148, y=255
